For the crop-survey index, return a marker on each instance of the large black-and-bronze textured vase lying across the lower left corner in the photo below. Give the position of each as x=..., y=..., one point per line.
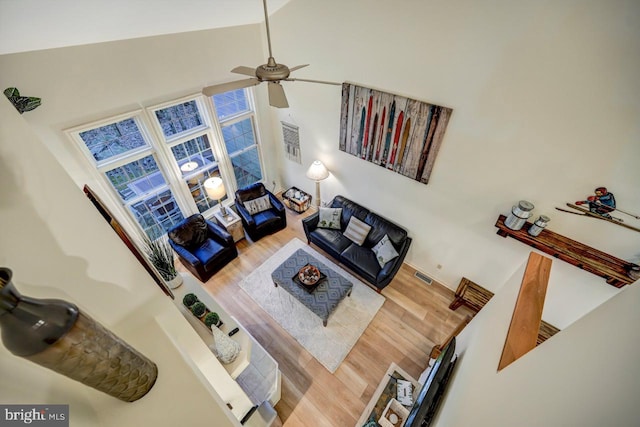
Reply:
x=55, y=334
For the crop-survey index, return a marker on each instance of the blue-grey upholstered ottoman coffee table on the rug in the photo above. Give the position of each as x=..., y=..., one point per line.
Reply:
x=322, y=300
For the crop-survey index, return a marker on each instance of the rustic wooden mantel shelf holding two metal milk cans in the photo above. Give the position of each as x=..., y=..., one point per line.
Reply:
x=614, y=270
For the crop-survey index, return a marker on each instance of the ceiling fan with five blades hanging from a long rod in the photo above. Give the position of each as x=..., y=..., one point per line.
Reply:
x=271, y=72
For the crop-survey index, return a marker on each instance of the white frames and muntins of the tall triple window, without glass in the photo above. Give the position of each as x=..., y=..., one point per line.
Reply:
x=159, y=146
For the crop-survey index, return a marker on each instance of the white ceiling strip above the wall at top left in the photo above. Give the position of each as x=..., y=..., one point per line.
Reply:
x=27, y=25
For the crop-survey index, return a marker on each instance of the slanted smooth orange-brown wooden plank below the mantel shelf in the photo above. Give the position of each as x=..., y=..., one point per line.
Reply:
x=527, y=314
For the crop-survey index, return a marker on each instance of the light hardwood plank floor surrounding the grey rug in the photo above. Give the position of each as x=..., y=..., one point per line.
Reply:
x=414, y=317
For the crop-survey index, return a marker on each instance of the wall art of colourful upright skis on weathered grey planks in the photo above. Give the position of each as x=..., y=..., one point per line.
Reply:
x=394, y=132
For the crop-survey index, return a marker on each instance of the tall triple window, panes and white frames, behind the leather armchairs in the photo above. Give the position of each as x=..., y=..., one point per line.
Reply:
x=160, y=180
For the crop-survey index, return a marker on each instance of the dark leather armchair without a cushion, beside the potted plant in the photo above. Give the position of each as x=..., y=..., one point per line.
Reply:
x=202, y=246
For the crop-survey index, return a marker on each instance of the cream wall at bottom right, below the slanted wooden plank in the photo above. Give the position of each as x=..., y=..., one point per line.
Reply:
x=583, y=376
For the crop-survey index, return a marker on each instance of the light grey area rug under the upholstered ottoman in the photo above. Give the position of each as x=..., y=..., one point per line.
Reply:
x=330, y=344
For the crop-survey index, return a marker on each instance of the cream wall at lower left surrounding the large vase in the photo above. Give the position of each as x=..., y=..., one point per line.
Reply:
x=58, y=246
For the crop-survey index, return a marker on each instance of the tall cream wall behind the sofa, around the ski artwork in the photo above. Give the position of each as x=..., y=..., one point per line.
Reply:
x=545, y=105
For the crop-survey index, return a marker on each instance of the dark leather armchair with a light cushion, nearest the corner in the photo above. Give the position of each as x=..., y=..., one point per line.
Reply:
x=259, y=224
